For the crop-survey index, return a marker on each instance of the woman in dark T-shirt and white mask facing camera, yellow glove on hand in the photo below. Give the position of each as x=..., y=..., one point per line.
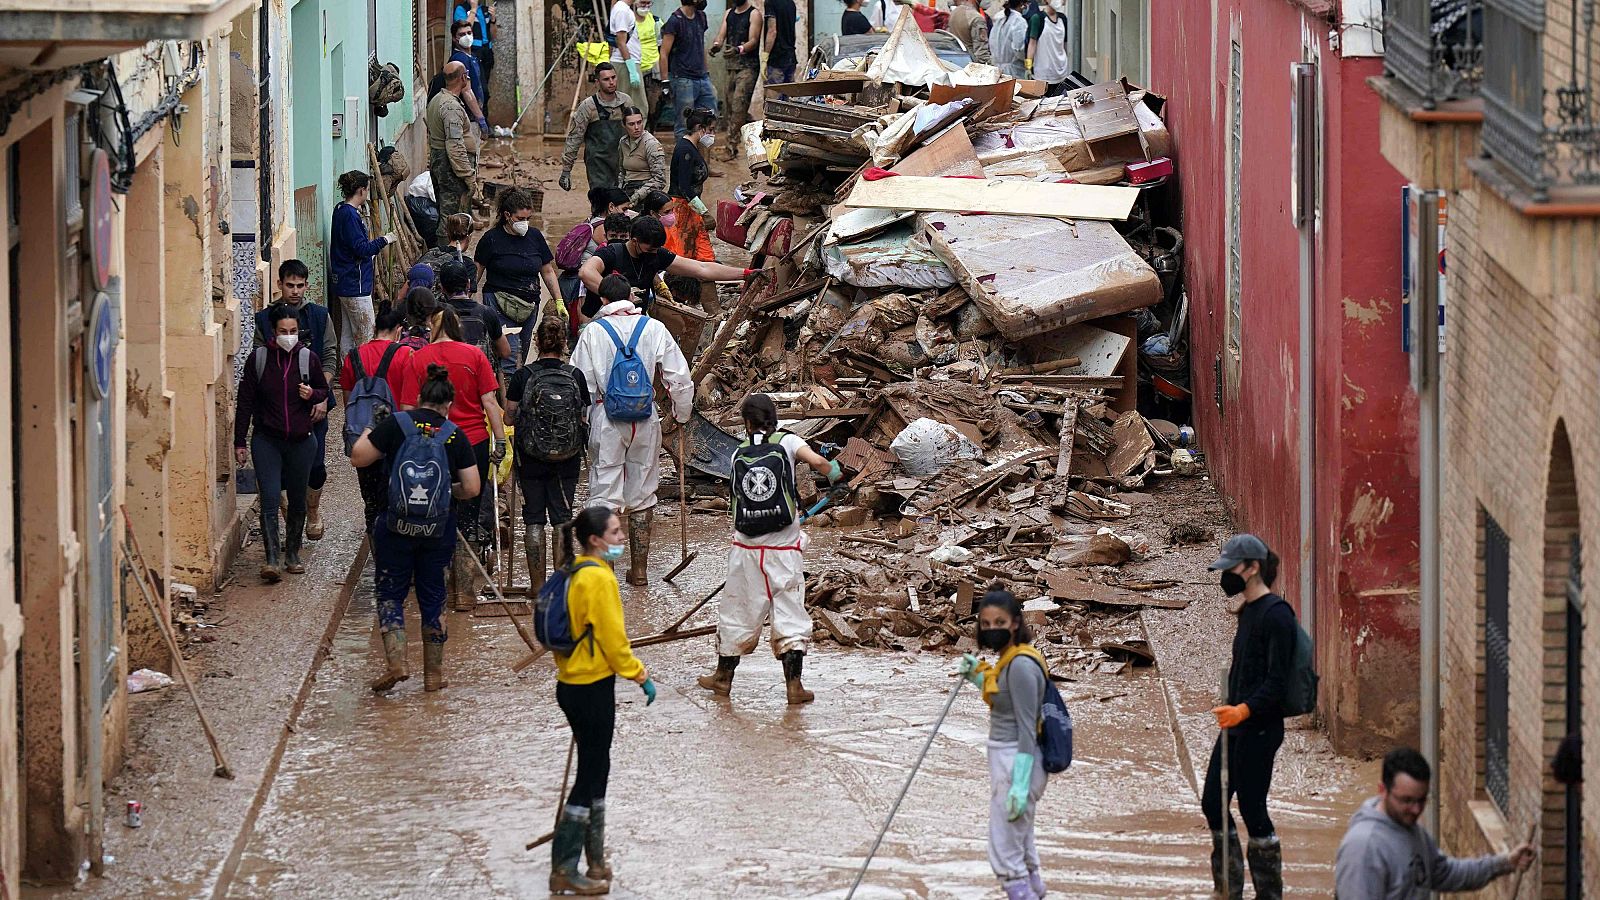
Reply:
x=514, y=259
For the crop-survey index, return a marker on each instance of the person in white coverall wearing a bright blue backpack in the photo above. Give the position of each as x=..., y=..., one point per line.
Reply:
x=625, y=459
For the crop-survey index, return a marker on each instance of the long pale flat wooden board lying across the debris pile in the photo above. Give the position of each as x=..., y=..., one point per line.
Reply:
x=1006, y=198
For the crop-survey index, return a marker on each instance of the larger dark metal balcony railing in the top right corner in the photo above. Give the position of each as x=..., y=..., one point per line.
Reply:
x=1543, y=137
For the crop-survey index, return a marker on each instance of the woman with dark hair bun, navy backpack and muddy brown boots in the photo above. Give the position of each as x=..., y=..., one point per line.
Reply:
x=406, y=556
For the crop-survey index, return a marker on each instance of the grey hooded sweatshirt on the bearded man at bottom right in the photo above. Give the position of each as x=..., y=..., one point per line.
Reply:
x=1382, y=859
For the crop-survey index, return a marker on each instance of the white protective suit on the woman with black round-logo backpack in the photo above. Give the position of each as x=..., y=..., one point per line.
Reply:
x=767, y=577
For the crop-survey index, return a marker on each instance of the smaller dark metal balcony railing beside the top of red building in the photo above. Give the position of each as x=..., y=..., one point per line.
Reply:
x=1436, y=47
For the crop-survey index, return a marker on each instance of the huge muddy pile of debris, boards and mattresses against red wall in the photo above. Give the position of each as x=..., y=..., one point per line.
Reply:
x=962, y=281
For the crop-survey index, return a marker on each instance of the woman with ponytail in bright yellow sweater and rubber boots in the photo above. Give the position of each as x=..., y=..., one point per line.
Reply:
x=586, y=691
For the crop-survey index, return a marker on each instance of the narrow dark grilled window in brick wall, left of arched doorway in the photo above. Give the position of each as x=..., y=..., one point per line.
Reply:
x=1497, y=662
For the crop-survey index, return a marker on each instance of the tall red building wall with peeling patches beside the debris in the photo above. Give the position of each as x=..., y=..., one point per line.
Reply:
x=1366, y=532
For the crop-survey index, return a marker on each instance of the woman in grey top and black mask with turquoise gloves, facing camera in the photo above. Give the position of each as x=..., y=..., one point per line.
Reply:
x=1015, y=693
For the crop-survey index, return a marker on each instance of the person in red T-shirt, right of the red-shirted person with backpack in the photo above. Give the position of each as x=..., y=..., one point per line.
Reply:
x=478, y=414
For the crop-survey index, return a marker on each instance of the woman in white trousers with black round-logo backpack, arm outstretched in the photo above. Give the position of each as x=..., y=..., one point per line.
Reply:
x=767, y=569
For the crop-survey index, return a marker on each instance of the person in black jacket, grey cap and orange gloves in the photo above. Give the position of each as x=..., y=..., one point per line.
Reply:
x=1252, y=718
